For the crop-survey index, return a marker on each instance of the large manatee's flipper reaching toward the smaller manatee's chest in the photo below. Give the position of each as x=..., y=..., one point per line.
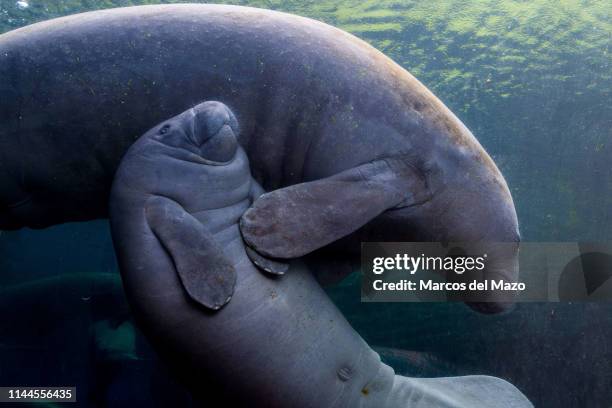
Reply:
x=293, y=221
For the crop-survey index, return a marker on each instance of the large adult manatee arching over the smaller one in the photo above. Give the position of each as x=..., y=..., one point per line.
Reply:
x=312, y=101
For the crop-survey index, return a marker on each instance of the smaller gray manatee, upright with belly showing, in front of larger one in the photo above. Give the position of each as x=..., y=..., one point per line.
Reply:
x=176, y=202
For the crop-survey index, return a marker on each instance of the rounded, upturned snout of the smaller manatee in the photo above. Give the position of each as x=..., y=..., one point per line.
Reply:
x=213, y=131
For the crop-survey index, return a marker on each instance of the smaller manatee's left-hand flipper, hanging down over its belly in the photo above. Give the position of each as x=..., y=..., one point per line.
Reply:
x=206, y=274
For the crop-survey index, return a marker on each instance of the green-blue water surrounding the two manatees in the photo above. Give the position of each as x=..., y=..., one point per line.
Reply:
x=531, y=79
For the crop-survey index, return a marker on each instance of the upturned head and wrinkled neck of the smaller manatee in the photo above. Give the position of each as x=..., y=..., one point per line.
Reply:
x=194, y=159
